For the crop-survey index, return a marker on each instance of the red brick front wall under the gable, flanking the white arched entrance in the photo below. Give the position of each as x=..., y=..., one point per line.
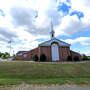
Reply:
x=64, y=52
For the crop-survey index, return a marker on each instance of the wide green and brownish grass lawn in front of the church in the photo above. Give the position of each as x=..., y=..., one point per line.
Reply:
x=12, y=73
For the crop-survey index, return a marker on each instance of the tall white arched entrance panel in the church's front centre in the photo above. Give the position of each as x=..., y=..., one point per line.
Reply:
x=55, y=52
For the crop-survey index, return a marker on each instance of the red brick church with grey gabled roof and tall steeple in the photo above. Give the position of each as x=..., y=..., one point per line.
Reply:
x=54, y=50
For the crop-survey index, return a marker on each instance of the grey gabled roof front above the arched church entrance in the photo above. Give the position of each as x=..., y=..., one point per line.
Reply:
x=48, y=43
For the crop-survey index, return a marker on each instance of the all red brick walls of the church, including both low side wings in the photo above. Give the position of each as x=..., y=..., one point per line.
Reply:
x=64, y=52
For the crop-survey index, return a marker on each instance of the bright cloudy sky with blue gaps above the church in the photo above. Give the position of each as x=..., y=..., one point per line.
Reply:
x=27, y=23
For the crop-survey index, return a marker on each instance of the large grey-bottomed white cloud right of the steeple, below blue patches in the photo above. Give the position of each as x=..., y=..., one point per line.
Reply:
x=71, y=25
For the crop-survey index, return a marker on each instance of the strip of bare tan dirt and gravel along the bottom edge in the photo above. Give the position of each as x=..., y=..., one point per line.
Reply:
x=43, y=87
